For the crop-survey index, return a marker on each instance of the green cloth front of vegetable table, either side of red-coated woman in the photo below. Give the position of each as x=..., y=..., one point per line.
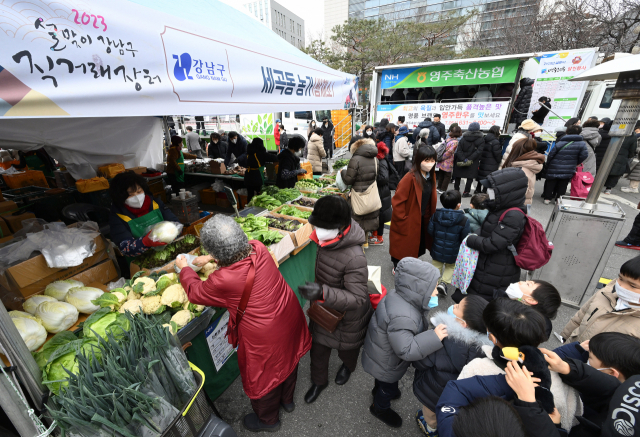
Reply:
x=296, y=270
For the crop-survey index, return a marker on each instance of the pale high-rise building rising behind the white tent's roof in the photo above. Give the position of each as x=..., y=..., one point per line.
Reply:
x=279, y=19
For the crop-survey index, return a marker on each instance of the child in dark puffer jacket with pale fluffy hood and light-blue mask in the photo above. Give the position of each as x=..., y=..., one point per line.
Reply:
x=466, y=334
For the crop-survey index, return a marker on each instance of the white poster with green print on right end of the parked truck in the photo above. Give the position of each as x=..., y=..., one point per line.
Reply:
x=552, y=80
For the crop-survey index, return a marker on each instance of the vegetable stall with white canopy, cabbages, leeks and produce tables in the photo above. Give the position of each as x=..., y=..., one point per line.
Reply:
x=106, y=335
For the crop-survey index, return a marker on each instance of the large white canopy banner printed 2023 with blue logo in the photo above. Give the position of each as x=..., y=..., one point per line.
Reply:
x=117, y=58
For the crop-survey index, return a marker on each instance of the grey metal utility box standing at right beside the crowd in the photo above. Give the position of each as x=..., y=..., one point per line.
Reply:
x=579, y=234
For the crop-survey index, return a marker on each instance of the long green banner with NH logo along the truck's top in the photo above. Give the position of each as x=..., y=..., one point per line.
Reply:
x=477, y=73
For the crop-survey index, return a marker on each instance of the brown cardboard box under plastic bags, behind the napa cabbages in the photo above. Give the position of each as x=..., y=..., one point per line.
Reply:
x=33, y=275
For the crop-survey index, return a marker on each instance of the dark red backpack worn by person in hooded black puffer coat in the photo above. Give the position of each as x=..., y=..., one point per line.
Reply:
x=533, y=250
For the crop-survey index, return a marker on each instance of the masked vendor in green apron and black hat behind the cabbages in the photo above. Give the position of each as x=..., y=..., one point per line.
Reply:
x=133, y=210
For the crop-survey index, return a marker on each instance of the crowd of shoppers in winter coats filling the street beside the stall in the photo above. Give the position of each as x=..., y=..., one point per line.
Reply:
x=479, y=368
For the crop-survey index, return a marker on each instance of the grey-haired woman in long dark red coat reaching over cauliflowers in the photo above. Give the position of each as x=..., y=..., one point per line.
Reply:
x=273, y=333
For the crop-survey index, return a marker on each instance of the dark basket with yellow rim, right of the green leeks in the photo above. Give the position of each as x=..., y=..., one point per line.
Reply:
x=195, y=415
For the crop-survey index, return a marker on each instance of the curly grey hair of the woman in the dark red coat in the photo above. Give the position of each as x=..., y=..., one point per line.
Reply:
x=223, y=238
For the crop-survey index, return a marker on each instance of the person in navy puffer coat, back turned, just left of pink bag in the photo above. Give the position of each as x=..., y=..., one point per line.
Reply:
x=561, y=163
